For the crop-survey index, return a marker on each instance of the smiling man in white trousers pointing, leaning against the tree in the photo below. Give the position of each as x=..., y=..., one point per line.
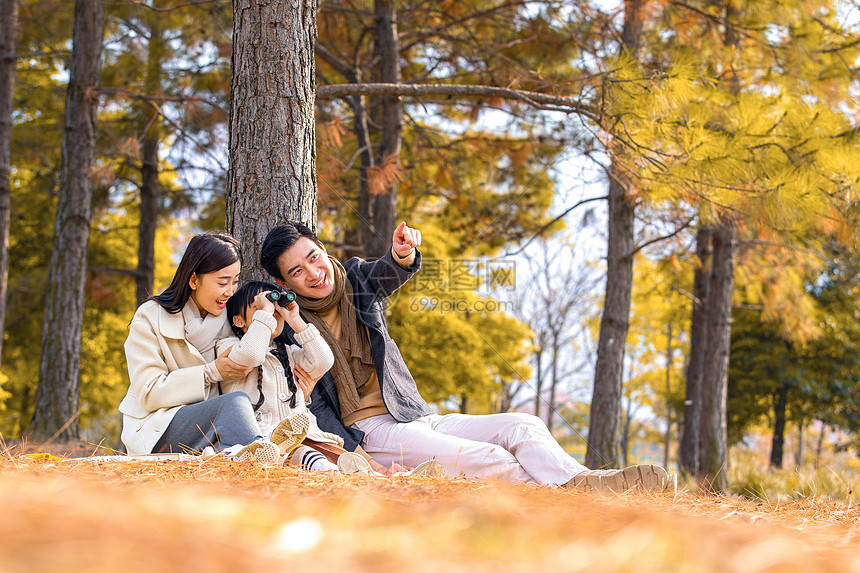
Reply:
x=369, y=397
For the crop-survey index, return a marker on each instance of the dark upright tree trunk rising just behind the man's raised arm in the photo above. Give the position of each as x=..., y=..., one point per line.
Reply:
x=386, y=51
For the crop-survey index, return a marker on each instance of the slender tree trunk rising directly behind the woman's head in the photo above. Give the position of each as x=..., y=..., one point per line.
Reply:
x=149, y=189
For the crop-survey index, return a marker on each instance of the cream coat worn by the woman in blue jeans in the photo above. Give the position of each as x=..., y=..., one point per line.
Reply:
x=166, y=372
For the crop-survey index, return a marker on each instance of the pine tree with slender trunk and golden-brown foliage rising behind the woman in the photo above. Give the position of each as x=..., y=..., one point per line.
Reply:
x=170, y=89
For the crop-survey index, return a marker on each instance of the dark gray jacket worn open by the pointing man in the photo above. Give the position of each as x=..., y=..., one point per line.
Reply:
x=372, y=283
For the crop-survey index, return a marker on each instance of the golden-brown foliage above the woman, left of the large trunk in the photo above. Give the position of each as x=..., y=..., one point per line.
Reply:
x=167, y=76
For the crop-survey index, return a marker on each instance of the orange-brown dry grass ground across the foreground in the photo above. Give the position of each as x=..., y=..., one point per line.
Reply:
x=217, y=515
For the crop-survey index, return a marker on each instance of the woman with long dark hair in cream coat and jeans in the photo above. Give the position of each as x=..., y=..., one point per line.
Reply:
x=173, y=403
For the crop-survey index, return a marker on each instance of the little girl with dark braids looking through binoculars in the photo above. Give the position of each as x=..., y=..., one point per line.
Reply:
x=280, y=406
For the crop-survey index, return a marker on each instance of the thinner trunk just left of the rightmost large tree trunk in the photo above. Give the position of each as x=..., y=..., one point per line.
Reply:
x=687, y=457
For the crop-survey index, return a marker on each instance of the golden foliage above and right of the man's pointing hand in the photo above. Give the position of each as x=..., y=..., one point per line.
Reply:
x=470, y=186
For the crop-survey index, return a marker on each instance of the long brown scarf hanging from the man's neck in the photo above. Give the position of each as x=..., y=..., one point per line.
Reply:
x=353, y=361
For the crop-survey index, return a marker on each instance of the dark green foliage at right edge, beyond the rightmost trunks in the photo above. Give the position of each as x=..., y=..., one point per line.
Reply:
x=822, y=373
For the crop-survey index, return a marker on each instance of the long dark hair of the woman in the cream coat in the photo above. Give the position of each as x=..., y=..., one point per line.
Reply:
x=206, y=253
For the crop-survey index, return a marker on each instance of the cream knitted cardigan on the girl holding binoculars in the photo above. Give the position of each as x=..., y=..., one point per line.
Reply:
x=314, y=355
